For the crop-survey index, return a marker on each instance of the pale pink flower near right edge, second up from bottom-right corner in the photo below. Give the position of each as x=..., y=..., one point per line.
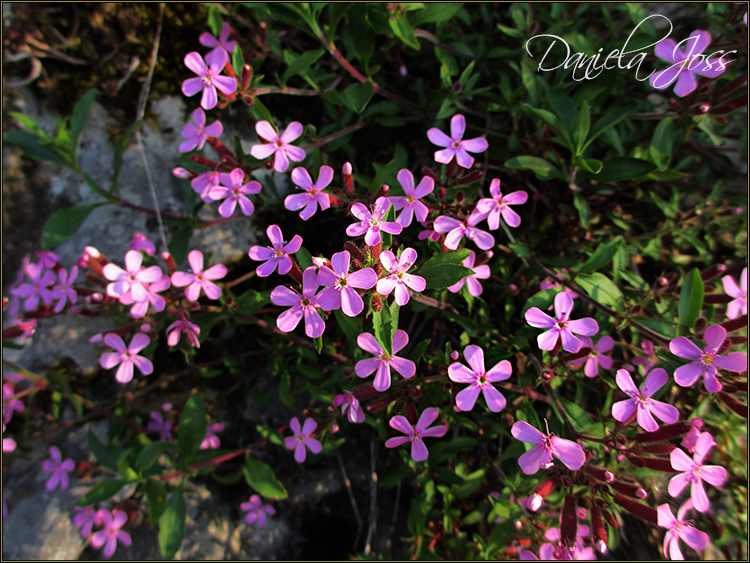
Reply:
x=694, y=472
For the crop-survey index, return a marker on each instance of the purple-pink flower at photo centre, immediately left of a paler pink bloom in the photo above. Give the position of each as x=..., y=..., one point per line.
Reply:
x=341, y=286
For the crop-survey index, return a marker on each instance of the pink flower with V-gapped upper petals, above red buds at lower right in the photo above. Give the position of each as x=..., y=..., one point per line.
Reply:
x=641, y=401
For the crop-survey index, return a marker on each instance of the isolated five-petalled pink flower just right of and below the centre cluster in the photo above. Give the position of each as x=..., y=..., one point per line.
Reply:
x=480, y=380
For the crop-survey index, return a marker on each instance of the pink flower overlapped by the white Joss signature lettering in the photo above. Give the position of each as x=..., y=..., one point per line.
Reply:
x=681, y=70
